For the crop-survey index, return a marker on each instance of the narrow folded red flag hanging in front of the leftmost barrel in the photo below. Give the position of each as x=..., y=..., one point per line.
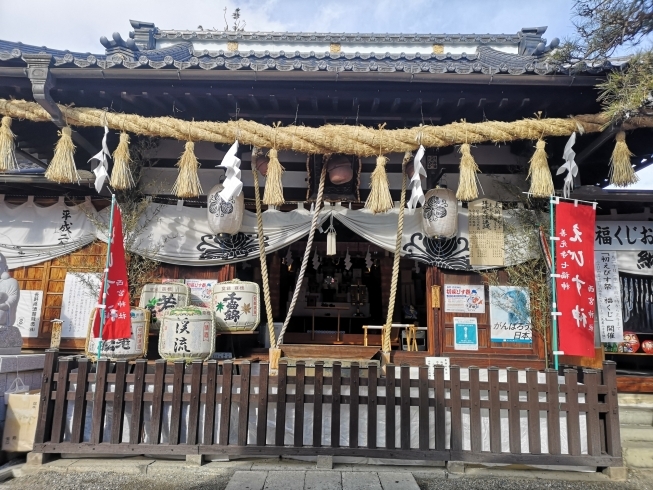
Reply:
x=117, y=319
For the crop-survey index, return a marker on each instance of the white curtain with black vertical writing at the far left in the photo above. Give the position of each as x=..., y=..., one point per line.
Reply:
x=30, y=234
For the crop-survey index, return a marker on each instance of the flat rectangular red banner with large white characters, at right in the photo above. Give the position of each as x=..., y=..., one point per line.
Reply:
x=575, y=286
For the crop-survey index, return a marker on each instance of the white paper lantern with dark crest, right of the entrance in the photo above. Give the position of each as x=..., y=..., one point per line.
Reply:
x=440, y=213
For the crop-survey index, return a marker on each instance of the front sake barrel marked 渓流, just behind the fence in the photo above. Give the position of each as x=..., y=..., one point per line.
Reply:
x=187, y=333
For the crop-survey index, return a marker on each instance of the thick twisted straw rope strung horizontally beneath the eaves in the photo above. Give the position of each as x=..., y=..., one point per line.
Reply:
x=326, y=139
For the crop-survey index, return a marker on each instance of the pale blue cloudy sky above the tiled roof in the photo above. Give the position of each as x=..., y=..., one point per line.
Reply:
x=77, y=25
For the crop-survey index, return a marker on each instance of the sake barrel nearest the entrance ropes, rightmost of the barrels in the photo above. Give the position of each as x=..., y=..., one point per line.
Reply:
x=236, y=305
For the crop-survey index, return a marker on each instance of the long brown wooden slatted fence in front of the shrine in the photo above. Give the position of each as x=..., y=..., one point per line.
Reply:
x=153, y=408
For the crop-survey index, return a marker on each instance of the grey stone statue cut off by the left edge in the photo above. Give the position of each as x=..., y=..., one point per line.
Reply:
x=11, y=340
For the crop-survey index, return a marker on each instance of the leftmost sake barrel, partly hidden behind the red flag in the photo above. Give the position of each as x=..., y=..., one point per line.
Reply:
x=133, y=347
